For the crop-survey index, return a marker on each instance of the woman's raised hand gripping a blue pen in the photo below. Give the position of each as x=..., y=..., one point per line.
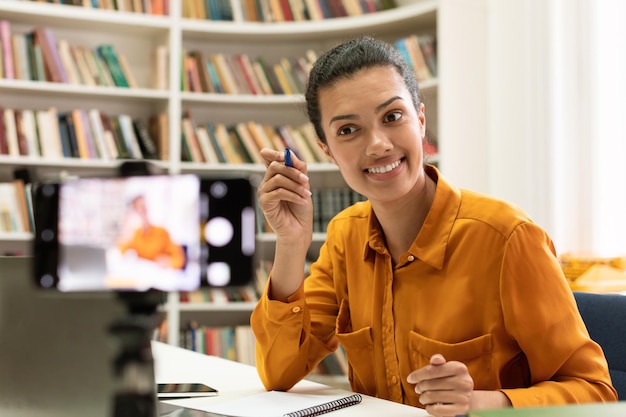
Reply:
x=285, y=197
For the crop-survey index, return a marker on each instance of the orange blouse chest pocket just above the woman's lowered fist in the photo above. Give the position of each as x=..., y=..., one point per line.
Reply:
x=474, y=353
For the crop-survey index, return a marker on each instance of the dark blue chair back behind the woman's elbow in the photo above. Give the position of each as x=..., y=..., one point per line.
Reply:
x=605, y=318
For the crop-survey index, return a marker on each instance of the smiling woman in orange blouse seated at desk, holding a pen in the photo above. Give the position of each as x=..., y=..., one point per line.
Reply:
x=442, y=298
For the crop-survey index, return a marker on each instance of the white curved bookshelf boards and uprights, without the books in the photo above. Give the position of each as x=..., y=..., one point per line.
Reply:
x=137, y=35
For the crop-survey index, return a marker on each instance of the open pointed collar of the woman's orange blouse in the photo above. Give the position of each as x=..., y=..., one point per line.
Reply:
x=432, y=240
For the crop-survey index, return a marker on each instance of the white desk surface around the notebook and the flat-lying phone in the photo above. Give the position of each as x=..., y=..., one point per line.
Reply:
x=235, y=380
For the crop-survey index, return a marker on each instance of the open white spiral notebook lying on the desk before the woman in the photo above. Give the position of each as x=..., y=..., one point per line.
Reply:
x=283, y=404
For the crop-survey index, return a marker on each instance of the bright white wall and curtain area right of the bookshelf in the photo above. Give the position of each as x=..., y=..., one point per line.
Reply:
x=530, y=111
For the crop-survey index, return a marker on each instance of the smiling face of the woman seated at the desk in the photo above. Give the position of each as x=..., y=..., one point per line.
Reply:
x=374, y=133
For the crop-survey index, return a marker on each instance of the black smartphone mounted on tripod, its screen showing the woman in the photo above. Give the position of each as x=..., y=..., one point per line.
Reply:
x=164, y=232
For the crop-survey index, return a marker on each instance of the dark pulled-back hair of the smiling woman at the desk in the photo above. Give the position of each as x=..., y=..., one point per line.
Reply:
x=345, y=60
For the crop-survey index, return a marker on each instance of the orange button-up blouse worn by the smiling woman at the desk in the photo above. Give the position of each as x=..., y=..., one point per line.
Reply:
x=481, y=284
